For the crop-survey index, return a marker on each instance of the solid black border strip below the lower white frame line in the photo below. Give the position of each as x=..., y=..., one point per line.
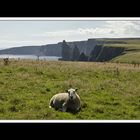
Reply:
x=70, y=130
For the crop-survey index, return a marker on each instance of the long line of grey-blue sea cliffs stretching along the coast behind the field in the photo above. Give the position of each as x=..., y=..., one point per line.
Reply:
x=93, y=49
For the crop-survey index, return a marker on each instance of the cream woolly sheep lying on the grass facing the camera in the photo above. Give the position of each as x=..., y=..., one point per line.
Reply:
x=66, y=102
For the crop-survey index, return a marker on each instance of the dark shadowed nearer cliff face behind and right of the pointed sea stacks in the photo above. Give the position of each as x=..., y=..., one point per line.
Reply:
x=94, y=50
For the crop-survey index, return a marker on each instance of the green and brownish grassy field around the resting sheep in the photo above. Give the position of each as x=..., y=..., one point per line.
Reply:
x=108, y=91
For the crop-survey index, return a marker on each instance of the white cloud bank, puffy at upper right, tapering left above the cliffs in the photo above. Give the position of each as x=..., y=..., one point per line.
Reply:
x=109, y=29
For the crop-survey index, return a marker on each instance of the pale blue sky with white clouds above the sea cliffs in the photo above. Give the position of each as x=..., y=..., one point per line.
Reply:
x=16, y=33
